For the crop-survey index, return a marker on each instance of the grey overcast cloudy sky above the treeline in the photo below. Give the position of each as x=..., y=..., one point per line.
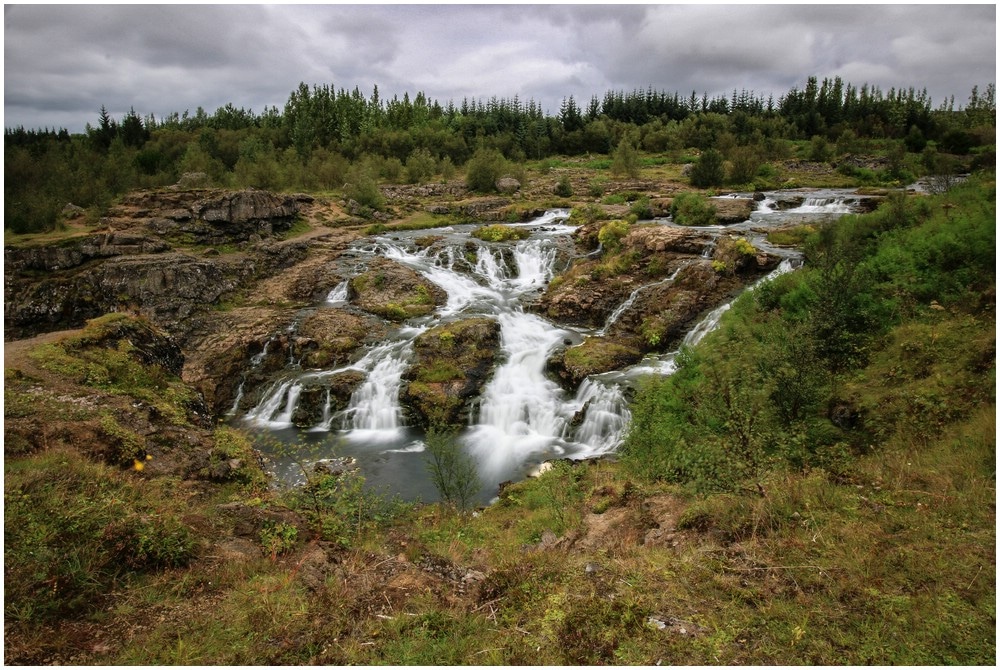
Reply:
x=61, y=63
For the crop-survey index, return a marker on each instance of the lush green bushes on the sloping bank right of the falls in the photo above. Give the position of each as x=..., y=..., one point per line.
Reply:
x=812, y=367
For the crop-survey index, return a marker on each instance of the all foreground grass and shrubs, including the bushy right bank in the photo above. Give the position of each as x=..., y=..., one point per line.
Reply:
x=815, y=485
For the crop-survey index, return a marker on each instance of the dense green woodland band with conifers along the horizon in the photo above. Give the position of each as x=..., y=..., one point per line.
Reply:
x=325, y=138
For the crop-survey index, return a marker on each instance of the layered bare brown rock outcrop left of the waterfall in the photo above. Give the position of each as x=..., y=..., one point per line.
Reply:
x=134, y=263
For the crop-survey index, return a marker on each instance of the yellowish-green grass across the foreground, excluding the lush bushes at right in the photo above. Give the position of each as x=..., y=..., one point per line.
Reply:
x=885, y=556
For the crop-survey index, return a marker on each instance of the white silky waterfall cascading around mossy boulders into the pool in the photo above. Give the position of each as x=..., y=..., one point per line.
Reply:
x=521, y=416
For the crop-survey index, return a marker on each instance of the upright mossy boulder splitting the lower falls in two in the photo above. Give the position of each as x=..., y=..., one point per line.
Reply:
x=451, y=364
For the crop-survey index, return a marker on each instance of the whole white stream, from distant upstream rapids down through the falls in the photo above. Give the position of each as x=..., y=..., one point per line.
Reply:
x=522, y=417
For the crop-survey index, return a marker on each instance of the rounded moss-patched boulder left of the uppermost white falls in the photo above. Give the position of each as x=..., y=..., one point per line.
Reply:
x=394, y=292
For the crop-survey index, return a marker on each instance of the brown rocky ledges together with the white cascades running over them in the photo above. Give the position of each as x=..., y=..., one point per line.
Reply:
x=368, y=340
